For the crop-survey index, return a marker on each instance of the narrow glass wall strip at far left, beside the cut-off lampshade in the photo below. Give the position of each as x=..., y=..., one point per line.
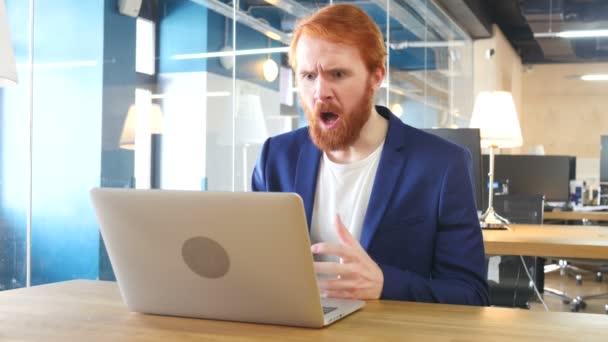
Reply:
x=14, y=155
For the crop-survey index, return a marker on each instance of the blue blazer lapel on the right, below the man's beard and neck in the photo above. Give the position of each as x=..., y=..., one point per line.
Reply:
x=390, y=168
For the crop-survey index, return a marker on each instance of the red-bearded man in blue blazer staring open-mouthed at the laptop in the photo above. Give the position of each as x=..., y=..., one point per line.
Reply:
x=390, y=208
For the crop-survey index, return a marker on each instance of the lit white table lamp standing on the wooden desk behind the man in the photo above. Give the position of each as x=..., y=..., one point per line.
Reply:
x=495, y=115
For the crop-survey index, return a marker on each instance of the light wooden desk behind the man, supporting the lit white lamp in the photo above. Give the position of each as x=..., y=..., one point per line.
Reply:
x=585, y=242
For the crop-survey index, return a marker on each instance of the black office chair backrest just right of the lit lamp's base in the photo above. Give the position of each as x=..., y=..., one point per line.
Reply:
x=524, y=209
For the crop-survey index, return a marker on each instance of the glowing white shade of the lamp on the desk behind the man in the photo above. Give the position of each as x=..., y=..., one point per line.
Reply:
x=495, y=115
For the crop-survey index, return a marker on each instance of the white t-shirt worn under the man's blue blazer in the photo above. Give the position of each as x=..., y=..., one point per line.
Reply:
x=342, y=189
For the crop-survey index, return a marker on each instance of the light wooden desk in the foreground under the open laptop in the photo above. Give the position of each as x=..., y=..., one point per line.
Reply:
x=92, y=310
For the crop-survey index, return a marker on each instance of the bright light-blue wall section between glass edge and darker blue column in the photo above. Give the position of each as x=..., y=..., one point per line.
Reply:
x=66, y=139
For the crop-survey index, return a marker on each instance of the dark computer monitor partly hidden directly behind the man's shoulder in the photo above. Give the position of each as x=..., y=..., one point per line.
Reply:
x=468, y=138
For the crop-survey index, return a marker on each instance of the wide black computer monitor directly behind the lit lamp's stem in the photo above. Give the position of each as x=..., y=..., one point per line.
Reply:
x=534, y=175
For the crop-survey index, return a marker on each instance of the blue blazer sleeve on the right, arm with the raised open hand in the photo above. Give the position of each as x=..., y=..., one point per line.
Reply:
x=459, y=273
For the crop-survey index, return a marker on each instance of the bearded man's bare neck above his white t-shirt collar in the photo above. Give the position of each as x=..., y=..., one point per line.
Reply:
x=372, y=135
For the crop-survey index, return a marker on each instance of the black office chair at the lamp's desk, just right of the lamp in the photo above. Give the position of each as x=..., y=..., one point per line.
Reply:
x=514, y=288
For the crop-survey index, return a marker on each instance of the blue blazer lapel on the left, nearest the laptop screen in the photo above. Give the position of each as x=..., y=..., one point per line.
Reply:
x=306, y=176
